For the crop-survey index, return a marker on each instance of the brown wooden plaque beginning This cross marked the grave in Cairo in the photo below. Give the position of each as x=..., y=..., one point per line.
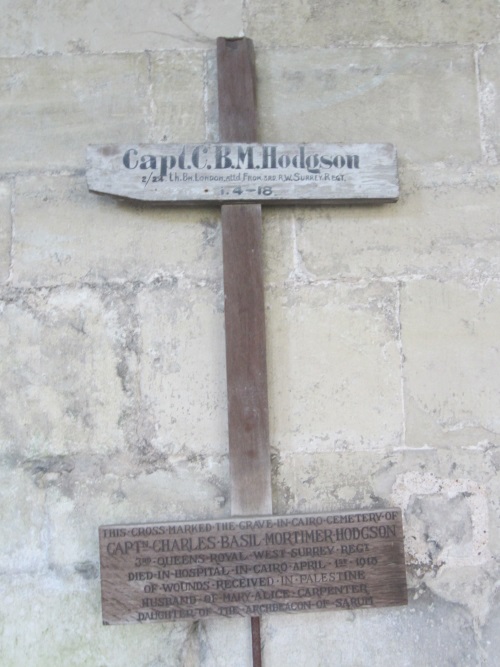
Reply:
x=252, y=566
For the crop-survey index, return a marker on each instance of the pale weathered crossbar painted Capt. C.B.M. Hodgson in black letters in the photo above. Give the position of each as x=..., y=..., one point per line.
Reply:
x=266, y=173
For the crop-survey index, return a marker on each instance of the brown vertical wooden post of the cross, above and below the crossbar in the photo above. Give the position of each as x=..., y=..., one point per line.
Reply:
x=248, y=419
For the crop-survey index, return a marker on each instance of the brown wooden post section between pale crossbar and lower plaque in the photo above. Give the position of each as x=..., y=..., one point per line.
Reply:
x=249, y=453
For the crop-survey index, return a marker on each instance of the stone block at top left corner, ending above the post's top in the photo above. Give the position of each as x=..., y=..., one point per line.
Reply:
x=117, y=25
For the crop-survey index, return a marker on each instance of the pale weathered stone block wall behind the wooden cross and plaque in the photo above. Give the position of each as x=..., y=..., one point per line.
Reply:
x=383, y=321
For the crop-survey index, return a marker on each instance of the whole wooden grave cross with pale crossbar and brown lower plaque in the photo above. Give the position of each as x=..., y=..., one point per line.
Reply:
x=267, y=564
